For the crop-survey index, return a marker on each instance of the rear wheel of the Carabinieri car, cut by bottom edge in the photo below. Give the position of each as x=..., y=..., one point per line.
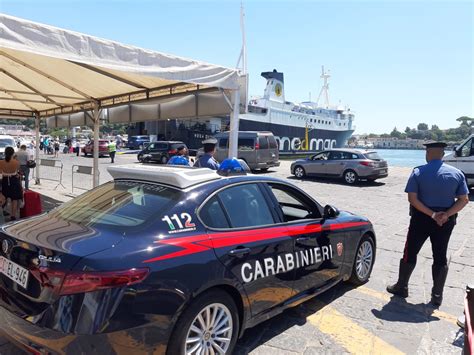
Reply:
x=209, y=325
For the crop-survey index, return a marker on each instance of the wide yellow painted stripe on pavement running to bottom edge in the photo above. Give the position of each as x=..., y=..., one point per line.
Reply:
x=350, y=335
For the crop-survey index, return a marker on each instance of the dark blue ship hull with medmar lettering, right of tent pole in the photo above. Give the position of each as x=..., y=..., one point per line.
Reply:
x=292, y=139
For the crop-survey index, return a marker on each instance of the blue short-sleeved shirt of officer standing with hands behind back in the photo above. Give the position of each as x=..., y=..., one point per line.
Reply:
x=437, y=184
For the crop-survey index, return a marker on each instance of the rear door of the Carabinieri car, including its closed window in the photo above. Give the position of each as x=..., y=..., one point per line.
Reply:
x=241, y=226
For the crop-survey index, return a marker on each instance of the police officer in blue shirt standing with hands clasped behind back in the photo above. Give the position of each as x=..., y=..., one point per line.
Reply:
x=436, y=192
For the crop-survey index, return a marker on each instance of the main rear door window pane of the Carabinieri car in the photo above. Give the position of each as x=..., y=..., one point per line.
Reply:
x=246, y=206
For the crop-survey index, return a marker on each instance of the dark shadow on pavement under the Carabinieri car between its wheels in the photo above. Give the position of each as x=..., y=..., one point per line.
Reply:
x=264, y=332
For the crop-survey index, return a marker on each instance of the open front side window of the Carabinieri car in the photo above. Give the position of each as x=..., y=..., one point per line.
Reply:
x=294, y=205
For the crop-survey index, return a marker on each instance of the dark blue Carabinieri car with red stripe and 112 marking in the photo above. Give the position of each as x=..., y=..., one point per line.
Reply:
x=172, y=260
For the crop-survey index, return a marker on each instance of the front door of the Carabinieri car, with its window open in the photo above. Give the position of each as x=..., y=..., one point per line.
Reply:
x=318, y=254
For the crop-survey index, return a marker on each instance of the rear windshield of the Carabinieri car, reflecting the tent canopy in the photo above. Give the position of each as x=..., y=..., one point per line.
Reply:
x=119, y=205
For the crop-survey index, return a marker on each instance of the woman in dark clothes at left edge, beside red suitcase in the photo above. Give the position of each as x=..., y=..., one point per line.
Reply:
x=11, y=185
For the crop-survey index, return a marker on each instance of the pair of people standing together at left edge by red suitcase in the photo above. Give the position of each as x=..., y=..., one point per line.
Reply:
x=14, y=169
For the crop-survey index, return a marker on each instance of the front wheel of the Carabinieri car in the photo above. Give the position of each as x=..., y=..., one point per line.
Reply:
x=364, y=260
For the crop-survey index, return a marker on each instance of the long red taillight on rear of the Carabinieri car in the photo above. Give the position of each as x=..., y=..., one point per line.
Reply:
x=68, y=283
